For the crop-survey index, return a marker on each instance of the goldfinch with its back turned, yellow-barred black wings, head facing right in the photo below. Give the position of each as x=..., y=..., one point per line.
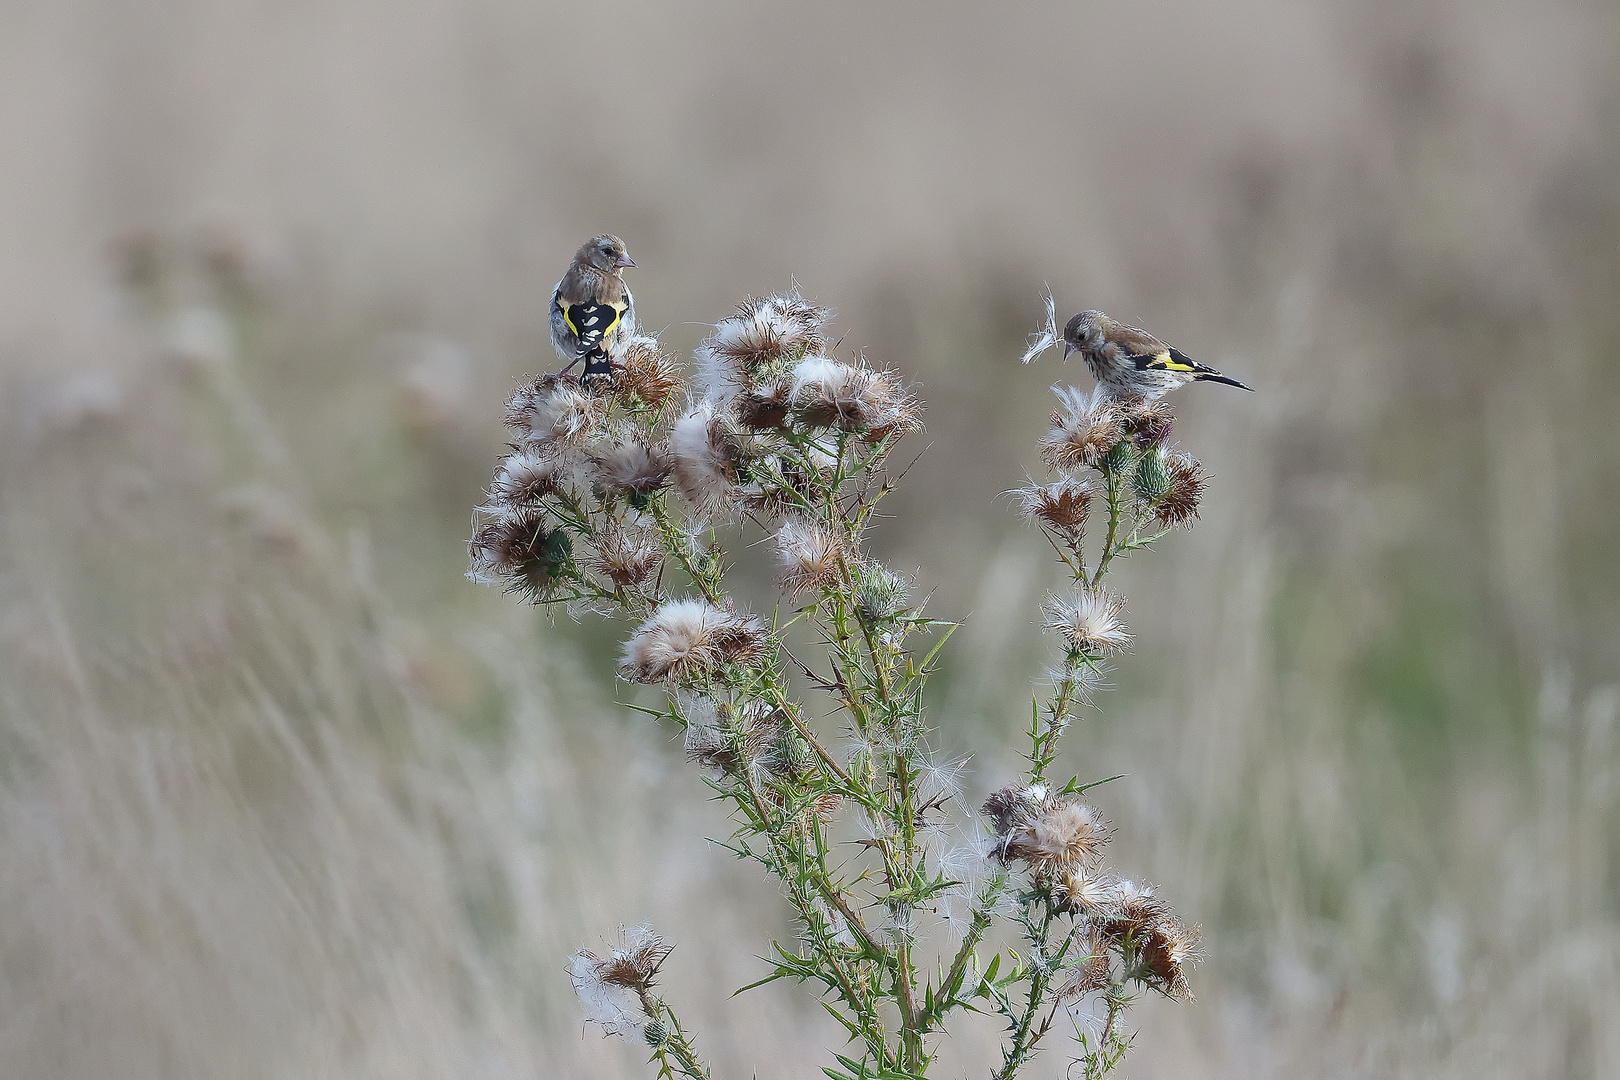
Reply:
x=592, y=312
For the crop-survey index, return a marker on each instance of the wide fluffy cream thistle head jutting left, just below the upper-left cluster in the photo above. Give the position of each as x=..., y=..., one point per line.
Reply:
x=689, y=642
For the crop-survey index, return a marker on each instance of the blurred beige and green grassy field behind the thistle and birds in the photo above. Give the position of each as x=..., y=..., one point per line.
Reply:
x=283, y=796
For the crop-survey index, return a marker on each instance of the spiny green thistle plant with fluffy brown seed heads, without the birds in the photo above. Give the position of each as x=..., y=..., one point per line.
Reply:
x=616, y=500
